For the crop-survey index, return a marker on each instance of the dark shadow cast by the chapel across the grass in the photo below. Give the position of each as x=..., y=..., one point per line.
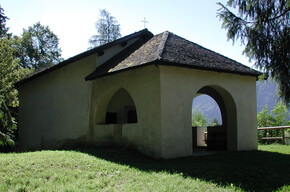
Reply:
x=251, y=170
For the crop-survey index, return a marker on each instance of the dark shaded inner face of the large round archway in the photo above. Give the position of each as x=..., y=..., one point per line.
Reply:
x=227, y=106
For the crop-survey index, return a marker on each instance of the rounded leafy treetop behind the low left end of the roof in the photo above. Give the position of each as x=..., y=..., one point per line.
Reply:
x=38, y=47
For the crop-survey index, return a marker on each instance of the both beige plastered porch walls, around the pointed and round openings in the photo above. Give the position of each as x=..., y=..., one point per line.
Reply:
x=163, y=97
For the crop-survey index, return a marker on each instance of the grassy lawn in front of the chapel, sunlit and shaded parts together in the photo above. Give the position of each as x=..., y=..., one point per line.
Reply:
x=111, y=169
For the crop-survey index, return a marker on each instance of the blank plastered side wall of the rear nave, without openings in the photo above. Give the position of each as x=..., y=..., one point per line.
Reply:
x=55, y=107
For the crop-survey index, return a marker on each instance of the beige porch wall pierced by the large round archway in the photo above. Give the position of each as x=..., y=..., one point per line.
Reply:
x=179, y=86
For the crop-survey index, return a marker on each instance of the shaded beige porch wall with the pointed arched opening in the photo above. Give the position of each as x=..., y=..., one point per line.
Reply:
x=143, y=87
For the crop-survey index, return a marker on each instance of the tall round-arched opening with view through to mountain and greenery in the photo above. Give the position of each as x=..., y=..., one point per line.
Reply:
x=219, y=133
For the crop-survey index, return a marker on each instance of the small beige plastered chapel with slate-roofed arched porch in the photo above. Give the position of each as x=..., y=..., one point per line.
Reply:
x=137, y=92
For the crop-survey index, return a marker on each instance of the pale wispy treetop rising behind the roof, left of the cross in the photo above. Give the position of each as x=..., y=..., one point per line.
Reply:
x=108, y=30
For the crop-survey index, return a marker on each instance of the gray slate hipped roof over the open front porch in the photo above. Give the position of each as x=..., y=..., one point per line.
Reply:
x=170, y=49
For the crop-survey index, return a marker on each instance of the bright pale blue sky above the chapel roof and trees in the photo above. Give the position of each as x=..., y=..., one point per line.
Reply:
x=73, y=21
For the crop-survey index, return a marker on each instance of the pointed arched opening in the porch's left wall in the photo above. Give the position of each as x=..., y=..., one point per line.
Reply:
x=121, y=109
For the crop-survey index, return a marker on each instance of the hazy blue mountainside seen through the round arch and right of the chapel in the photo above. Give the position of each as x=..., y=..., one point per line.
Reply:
x=266, y=92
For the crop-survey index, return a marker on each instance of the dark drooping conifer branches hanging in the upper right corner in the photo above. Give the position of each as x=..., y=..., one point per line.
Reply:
x=264, y=28
